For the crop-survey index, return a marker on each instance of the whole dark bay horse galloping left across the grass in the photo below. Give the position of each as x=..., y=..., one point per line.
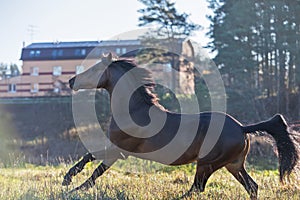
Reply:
x=174, y=139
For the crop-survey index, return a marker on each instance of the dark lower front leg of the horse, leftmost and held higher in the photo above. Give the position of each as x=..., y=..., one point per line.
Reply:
x=78, y=167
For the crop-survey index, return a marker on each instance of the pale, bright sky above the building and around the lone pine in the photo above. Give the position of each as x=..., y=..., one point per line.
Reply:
x=77, y=20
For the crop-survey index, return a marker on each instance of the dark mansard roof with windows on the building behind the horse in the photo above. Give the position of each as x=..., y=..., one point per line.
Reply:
x=76, y=50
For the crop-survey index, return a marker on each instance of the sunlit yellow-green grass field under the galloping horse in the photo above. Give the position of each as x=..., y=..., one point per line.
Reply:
x=136, y=179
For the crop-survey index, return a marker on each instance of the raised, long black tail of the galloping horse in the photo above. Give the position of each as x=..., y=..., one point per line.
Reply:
x=287, y=149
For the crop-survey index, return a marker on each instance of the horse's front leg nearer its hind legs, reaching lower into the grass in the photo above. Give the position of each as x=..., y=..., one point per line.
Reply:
x=90, y=182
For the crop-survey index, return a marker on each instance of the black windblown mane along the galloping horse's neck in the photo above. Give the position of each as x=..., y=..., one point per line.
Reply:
x=141, y=76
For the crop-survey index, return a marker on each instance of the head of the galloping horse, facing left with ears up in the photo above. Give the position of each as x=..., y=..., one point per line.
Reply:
x=94, y=77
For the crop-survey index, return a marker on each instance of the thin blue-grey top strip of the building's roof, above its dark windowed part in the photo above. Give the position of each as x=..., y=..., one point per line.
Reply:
x=100, y=43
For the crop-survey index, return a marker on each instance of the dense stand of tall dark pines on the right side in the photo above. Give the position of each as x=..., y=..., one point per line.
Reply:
x=257, y=46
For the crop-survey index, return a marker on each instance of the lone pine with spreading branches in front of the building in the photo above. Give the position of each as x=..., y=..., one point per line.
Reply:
x=172, y=28
